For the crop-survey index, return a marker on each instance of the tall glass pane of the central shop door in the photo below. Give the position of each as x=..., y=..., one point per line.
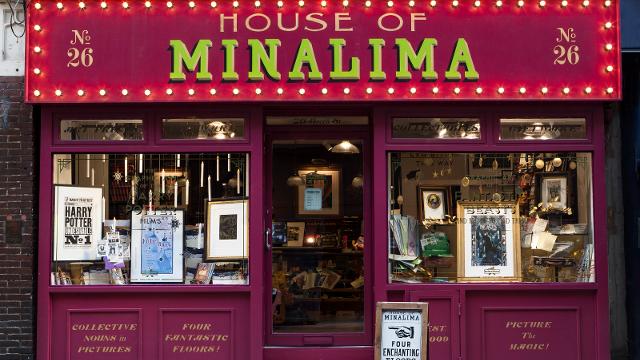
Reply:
x=317, y=257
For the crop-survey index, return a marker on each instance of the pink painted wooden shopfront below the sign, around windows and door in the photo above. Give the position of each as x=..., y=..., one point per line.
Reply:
x=468, y=321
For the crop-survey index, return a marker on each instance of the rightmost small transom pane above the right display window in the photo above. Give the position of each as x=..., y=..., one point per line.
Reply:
x=543, y=129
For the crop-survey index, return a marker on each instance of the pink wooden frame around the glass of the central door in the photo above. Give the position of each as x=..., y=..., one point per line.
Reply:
x=362, y=133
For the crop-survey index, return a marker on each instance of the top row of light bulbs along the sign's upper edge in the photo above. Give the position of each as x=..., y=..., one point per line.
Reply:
x=323, y=3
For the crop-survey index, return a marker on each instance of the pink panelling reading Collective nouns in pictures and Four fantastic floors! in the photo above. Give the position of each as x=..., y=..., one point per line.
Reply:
x=167, y=326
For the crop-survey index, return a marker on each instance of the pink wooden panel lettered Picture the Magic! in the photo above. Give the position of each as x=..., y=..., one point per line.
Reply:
x=530, y=325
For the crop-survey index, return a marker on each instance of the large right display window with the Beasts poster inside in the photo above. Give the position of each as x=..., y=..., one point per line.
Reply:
x=456, y=217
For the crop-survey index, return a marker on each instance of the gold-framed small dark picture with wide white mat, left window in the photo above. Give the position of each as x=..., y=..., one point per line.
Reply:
x=227, y=230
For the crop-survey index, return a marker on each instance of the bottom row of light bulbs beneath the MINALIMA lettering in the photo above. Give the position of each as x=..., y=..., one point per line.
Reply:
x=302, y=91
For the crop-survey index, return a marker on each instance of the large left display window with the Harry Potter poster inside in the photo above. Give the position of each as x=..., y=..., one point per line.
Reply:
x=150, y=218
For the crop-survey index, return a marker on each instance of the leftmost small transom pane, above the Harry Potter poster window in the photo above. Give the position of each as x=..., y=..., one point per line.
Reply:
x=101, y=130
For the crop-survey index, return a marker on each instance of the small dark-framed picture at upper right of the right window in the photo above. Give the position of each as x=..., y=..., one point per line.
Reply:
x=555, y=191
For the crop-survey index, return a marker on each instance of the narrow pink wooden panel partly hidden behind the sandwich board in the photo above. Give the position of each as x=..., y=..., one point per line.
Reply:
x=444, y=325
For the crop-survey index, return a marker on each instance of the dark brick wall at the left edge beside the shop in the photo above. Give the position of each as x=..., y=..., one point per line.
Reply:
x=17, y=222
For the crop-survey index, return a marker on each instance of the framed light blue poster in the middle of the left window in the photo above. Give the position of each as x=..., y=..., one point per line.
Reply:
x=156, y=246
